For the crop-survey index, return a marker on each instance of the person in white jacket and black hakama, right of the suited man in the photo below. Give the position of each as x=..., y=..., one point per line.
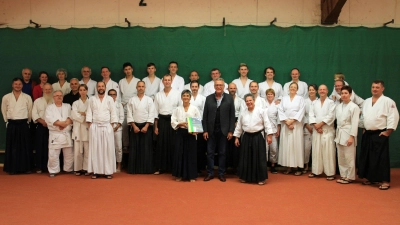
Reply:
x=252, y=123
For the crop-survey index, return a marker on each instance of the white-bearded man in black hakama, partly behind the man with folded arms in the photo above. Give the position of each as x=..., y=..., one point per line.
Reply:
x=42, y=131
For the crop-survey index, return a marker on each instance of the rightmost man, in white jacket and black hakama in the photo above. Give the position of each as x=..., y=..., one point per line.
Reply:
x=379, y=119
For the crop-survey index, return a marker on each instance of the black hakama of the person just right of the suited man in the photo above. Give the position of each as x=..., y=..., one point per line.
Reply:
x=253, y=159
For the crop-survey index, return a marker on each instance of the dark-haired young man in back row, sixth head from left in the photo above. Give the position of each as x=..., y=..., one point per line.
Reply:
x=127, y=87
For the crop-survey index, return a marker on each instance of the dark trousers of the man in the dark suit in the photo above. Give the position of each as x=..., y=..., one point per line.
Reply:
x=214, y=140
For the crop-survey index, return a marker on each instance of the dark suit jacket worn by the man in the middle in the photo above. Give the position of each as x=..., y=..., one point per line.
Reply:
x=227, y=114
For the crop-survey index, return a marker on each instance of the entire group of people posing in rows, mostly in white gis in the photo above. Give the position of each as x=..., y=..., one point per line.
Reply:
x=246, y=123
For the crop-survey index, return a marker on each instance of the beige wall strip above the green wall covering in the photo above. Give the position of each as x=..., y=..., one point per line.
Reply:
x=191, y=13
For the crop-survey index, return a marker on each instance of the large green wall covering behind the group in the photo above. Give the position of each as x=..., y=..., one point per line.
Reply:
x=362, y=54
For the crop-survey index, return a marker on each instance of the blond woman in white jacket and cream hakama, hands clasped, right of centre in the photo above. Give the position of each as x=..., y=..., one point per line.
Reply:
x=291, y=148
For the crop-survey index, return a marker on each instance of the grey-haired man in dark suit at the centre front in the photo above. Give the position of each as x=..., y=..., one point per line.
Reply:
x=218, y=125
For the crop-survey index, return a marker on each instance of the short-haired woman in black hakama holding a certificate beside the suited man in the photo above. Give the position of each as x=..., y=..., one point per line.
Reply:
x=185, y=158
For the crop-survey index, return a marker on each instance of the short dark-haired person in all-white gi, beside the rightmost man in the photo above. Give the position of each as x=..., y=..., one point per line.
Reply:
x=347, y=115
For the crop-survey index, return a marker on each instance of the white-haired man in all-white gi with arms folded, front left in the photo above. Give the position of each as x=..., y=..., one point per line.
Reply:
x=58, y=119
